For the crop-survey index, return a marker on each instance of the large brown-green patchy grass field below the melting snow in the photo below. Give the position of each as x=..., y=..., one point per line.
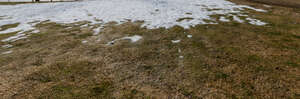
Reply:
x=226, y=60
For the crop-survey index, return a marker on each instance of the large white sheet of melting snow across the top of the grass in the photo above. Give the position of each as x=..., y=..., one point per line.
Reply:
x=154, y=13
